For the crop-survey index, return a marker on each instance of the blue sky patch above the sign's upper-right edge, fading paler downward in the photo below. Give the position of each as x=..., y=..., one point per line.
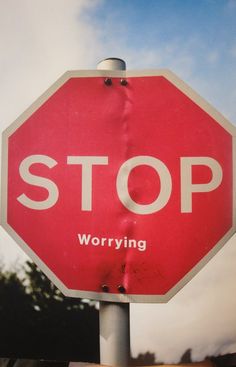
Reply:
x=196, y=39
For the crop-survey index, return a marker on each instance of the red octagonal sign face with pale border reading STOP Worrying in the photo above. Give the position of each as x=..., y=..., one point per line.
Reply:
x=119, y=191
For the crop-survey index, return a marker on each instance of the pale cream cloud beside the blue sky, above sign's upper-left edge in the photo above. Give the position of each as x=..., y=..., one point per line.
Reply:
x=39, y=41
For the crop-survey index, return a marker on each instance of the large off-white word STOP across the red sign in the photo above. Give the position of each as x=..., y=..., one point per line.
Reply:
x=188, y=188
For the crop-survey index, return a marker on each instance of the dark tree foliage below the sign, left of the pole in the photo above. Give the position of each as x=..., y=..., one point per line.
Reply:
x=37, y=321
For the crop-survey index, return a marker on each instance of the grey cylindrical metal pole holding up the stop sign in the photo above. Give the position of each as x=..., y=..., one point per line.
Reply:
x=114, y=317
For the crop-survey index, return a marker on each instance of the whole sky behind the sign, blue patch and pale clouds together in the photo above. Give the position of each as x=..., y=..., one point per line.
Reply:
x=41, y=39
